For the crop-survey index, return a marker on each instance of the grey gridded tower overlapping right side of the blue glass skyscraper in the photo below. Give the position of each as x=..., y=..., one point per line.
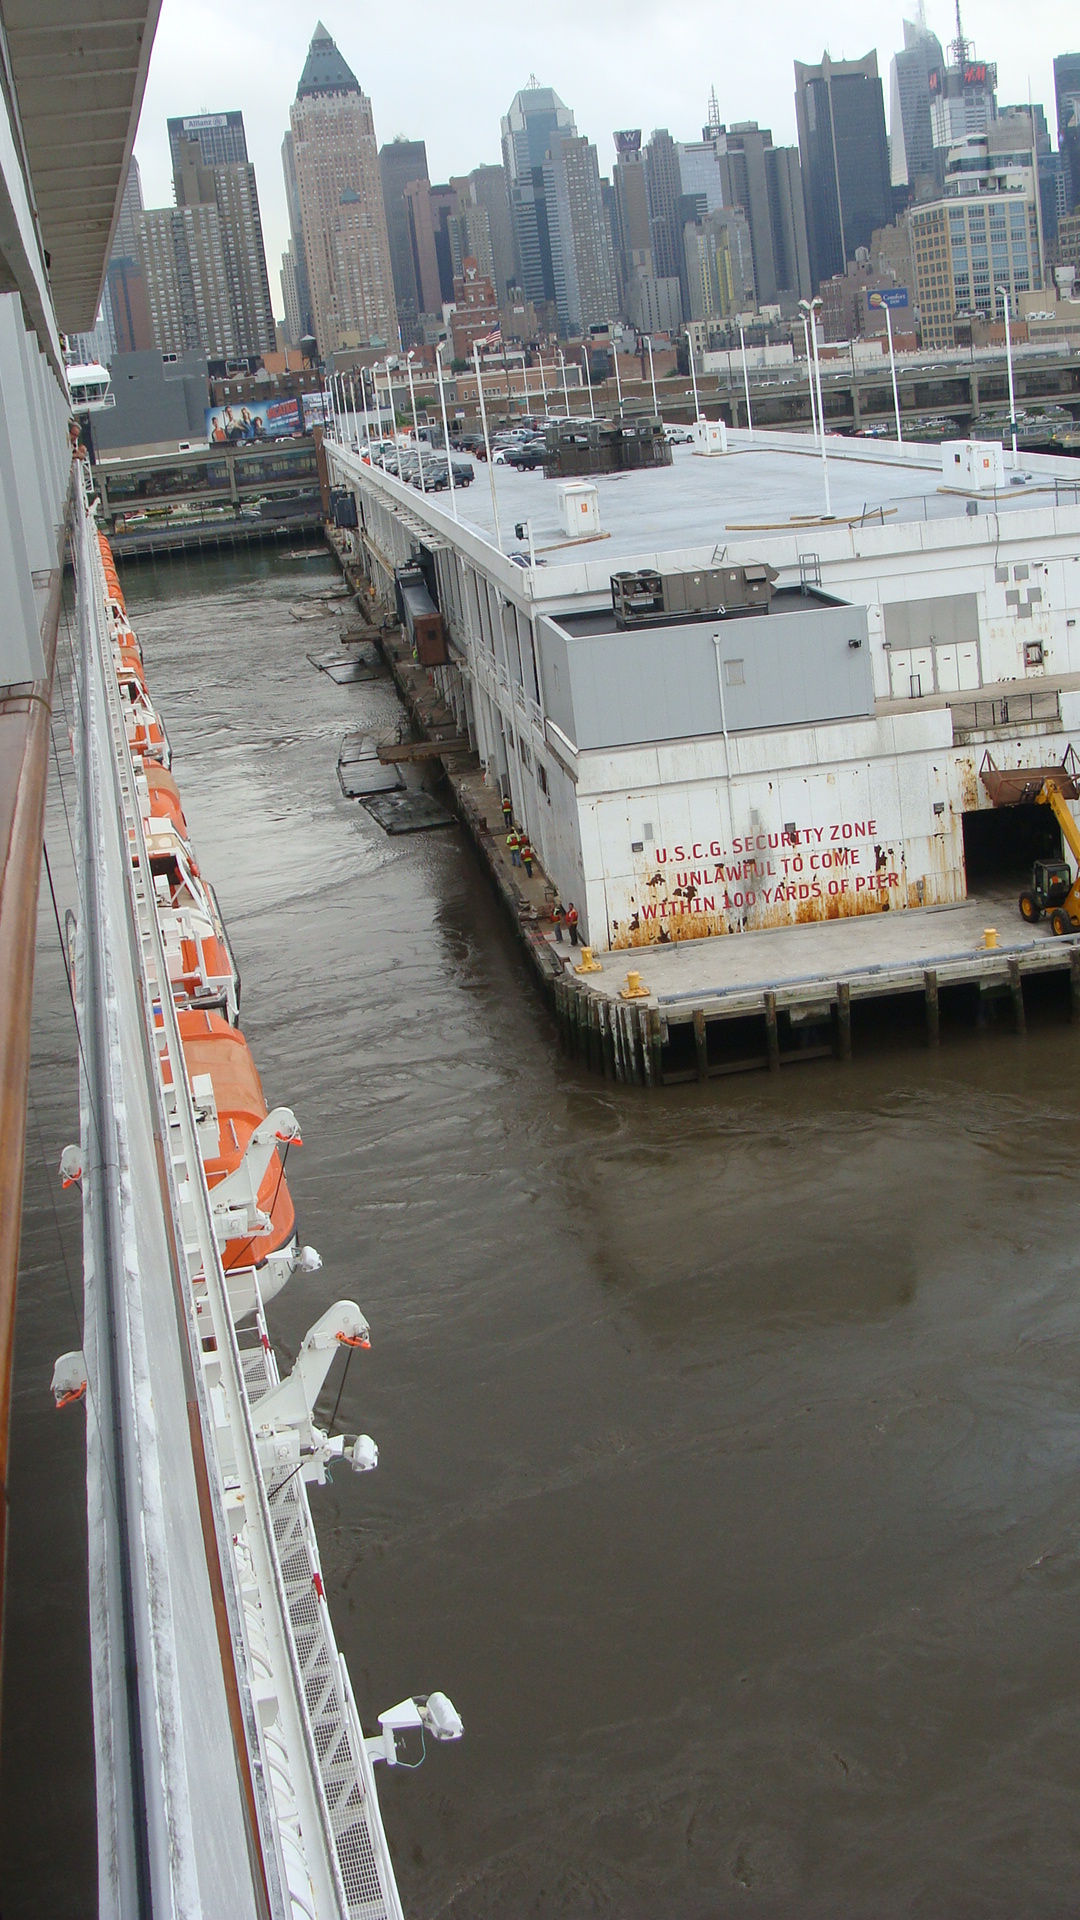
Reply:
x=583, y=262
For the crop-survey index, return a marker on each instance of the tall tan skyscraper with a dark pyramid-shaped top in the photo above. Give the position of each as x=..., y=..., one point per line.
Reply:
x=341, y=204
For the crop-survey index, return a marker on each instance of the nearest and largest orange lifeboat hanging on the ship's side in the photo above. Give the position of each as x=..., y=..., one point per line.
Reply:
x=220, y=1063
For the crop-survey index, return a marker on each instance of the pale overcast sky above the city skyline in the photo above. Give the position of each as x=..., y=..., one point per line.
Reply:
x=635, y=64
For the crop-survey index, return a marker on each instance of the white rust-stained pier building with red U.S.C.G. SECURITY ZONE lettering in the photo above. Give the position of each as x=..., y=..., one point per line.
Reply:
x=716, y=769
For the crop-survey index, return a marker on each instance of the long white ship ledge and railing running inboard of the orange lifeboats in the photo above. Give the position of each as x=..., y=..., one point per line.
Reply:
x=314, y=1842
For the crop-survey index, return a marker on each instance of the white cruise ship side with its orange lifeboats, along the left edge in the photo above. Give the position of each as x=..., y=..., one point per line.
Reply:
x=233, y=1775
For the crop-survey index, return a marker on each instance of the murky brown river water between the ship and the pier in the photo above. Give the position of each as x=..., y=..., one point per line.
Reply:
x=729, y=1435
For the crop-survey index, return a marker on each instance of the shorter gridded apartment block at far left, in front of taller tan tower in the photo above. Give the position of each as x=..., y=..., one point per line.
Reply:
x=187, y=281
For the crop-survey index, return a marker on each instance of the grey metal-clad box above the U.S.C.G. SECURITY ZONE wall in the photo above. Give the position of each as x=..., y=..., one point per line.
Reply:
x=627, y=688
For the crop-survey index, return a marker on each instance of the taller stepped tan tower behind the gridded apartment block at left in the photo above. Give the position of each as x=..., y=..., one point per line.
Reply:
x=230, y=187
